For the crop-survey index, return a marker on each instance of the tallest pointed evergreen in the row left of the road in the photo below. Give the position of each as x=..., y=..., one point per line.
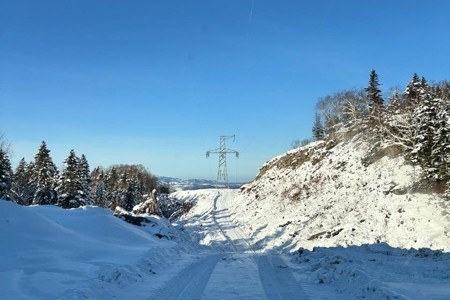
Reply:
x=44, y=178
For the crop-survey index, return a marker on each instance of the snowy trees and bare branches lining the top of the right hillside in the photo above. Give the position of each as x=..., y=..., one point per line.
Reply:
x=416, y=120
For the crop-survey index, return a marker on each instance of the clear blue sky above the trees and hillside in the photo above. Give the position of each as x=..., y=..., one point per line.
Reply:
x=157, y=82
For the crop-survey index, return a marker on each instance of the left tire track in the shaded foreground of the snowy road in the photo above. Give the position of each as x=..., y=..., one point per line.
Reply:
x=190, y=283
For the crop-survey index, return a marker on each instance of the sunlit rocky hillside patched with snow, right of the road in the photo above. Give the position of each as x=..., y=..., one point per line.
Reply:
x=343, y=193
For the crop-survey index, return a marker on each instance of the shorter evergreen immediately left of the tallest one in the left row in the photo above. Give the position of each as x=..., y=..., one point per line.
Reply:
x=22, y=188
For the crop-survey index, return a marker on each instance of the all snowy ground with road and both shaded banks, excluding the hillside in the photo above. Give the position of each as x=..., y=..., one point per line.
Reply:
x=87, y=253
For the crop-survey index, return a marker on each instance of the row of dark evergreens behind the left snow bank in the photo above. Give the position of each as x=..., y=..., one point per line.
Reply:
x=39, y=182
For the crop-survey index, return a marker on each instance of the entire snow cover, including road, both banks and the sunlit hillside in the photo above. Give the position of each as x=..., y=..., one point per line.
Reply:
x=321, y=222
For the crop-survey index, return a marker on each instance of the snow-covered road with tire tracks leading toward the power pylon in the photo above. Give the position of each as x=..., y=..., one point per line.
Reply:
x=231, y=269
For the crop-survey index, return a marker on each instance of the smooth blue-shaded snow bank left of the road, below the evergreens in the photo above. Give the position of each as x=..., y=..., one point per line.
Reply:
x=48, y=252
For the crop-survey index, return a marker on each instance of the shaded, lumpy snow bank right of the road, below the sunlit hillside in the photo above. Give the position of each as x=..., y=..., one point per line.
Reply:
x=377, y=271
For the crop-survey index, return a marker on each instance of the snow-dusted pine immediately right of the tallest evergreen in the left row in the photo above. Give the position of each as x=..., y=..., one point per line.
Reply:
x=70, y=187
